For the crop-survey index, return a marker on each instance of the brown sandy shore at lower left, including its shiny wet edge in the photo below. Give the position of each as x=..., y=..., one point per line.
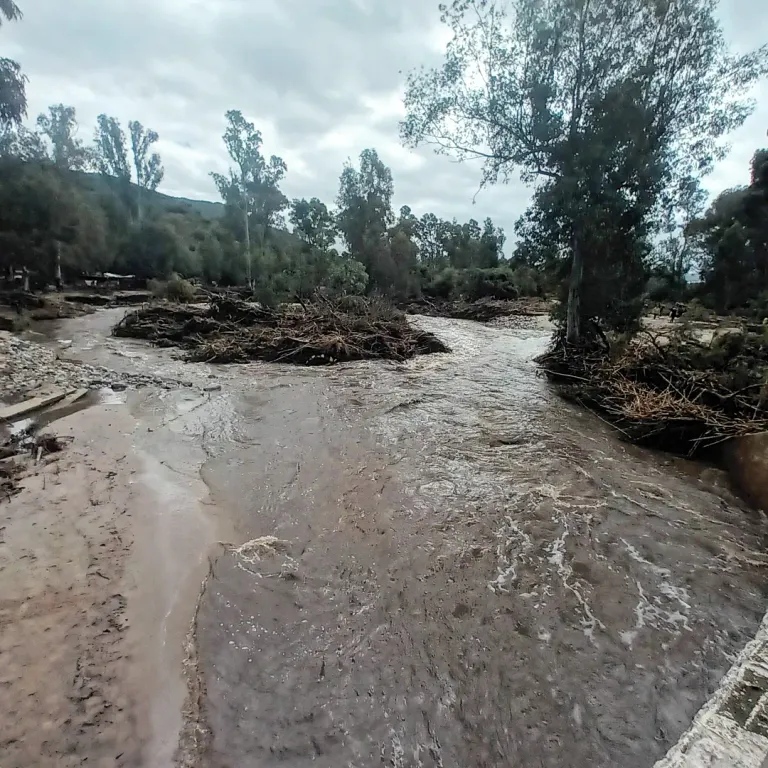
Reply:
x=91, y=643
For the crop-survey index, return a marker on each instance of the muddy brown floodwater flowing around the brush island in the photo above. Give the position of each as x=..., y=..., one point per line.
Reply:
x=439, y=563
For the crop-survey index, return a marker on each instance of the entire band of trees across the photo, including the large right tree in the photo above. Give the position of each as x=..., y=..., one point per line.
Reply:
x=613, y=111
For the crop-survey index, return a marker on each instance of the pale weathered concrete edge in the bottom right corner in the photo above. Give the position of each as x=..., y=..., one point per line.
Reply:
x=731, y=729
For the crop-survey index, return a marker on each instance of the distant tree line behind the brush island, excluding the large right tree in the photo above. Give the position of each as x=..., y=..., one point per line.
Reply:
x=68, y=207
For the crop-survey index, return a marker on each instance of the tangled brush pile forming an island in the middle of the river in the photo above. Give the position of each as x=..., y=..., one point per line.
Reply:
x=320, y=332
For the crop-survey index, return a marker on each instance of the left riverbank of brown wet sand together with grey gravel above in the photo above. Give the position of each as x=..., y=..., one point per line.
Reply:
x=102, y=552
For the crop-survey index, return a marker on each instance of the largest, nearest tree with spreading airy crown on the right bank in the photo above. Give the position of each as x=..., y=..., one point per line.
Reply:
x=612, y=102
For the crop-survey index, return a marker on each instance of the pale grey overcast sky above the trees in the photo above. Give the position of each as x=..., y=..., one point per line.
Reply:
x=322, y=80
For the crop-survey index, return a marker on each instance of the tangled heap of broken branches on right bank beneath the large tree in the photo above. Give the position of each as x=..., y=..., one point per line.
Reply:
x=676, y=393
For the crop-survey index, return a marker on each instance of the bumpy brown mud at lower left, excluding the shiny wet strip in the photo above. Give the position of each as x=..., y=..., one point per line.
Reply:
x=71, y=694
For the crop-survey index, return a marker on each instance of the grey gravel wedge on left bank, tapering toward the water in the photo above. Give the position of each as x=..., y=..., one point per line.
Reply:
x=26, y=366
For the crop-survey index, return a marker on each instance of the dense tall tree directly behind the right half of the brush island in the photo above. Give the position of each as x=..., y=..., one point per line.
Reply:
x=365, y=214
